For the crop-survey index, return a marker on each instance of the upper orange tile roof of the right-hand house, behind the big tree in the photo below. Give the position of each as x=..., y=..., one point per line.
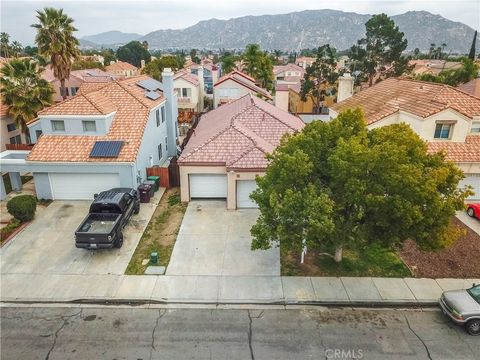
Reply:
x=417, y=97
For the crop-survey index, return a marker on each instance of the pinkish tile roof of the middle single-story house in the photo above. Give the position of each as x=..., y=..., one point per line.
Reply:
x=239, y=134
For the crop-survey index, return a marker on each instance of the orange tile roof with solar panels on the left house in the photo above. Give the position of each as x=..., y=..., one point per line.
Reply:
x=130, y=119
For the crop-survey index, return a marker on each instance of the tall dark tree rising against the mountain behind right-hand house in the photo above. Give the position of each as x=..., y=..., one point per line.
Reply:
x=382, y=46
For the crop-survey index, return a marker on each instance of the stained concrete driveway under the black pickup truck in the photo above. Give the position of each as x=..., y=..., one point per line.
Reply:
x=47, y=245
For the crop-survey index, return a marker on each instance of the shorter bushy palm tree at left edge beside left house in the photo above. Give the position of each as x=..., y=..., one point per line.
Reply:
x=24, y=91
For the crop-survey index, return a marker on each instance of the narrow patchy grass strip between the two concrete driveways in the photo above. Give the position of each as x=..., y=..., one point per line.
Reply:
x=160, y=234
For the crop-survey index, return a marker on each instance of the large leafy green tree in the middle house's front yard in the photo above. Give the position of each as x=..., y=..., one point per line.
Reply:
x=336, y=185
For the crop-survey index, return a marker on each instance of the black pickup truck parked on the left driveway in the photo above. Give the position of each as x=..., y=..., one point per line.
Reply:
x=108, y=215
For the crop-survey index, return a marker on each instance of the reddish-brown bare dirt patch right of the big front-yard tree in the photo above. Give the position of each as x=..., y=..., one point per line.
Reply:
x=459, y=260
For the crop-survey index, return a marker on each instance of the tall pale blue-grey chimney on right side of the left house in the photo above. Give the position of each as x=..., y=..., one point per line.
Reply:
x=171, y=111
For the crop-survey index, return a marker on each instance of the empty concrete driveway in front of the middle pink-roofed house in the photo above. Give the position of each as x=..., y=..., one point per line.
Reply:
x=216, y=241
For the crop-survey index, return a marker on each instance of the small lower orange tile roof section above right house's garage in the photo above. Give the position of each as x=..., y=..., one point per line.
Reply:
x=469, y=151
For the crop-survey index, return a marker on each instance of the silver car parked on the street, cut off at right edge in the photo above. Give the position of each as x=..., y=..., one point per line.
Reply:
x=463, y=307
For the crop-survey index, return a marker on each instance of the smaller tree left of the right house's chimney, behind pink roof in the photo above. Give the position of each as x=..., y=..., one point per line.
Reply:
x=320, y=77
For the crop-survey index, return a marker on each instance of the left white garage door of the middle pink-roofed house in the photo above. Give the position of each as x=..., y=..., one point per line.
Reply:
x=208, y=186
